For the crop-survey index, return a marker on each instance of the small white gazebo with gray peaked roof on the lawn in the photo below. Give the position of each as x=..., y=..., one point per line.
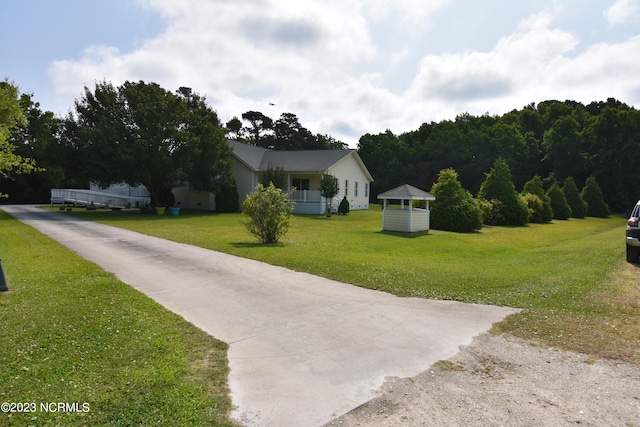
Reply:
x=405, y=218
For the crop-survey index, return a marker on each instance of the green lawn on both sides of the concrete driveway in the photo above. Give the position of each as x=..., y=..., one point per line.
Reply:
x=73, y=333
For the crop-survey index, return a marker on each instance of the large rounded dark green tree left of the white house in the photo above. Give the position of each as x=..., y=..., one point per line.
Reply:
x=140, y=133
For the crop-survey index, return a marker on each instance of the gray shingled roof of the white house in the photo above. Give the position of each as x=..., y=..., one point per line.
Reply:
x=259, y=159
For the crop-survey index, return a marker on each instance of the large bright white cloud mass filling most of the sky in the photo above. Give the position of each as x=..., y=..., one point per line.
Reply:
x=313, y=59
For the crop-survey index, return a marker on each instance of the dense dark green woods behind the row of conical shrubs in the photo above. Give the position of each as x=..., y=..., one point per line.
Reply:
x=554, y=140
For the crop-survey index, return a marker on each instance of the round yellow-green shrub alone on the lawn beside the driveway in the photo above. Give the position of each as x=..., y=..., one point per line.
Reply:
x=269, y=211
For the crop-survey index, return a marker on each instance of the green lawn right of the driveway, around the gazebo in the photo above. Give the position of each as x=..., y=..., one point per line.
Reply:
x=569, y=277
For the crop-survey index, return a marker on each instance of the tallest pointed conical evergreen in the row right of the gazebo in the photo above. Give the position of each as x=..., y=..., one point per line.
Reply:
x=499, y=186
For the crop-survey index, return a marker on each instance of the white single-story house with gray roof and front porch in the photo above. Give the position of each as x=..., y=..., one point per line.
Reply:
x=303, y=169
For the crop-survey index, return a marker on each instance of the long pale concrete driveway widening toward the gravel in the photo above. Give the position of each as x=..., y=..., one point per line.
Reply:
x=302, y=349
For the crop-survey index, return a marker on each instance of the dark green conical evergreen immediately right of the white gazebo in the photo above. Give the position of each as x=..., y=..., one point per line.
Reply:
x=454, y=208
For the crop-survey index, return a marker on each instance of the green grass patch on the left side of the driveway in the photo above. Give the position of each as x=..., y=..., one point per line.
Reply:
x=72, y=333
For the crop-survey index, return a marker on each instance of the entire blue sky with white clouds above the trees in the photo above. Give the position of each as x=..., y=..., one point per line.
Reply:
x=344, y=67
